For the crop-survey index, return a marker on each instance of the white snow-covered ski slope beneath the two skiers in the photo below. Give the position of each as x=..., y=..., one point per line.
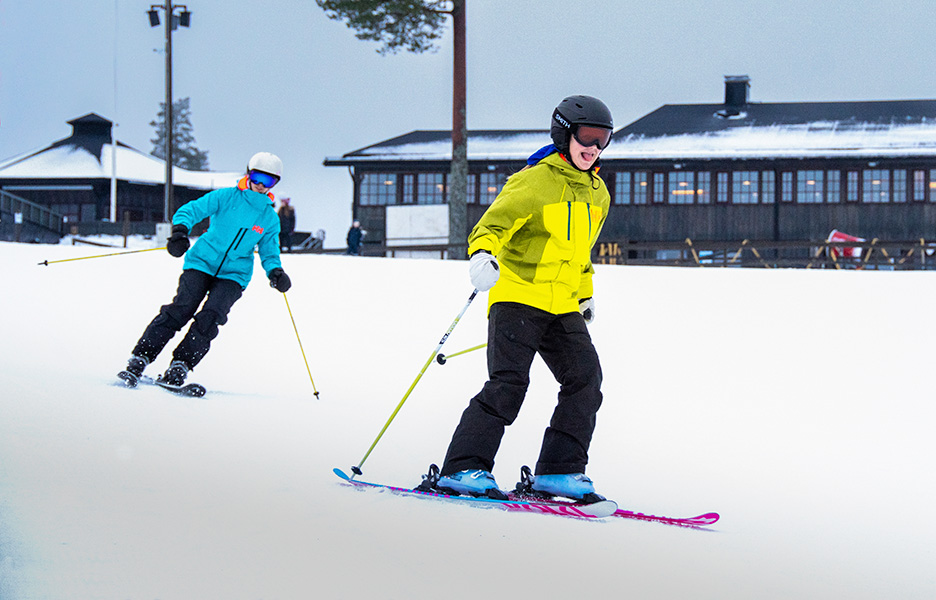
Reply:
x=798, y=404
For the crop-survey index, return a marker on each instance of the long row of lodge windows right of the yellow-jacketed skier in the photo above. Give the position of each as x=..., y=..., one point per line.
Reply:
x=760, y=187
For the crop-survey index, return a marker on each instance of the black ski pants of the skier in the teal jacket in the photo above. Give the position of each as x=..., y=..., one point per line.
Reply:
x=194, y=286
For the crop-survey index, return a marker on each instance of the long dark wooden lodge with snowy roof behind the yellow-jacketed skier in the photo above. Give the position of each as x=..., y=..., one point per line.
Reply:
x=719, y=173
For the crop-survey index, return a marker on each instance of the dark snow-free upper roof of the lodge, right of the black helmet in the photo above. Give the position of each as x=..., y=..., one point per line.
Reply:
x=689, y=119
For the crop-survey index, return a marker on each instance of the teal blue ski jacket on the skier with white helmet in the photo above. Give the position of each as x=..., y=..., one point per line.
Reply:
x=241, y=219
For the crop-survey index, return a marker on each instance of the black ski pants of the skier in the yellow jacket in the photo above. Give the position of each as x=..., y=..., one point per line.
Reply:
x=516, y=332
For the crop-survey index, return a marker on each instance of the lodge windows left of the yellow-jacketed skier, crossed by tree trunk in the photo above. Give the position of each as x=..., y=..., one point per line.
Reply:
x=381, y=189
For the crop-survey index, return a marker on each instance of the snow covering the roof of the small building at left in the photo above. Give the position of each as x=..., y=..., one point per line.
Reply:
x=70, y=161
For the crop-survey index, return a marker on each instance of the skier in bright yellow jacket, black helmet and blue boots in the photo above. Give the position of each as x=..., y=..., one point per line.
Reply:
x=532, y=250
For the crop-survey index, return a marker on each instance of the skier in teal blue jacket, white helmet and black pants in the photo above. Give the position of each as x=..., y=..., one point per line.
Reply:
x=218, y=267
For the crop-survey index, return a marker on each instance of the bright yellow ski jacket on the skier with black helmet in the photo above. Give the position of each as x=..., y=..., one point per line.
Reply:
x=542, y=227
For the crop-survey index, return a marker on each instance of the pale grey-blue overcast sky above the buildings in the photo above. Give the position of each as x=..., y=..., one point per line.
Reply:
x=280, y=76
